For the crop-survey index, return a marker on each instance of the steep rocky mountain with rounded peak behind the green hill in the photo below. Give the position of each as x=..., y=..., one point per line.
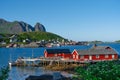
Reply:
x=18, y=27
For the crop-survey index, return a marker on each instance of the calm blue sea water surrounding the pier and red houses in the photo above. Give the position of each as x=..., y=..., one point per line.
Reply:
x=20, y=73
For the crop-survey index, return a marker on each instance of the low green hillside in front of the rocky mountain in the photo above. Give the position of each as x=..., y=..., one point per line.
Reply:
x=37, y=36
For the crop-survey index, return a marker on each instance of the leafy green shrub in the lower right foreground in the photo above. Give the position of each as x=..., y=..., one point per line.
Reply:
x=108, y=70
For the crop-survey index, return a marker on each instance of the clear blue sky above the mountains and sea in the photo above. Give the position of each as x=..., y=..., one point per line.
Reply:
x=79, y=20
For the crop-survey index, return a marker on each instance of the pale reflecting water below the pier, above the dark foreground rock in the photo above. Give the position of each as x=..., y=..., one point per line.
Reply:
x=20, y=73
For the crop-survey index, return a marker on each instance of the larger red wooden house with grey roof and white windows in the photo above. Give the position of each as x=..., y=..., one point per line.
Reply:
x=97, y=53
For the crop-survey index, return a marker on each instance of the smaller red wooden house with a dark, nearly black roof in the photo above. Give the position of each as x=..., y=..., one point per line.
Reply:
x=63, y=53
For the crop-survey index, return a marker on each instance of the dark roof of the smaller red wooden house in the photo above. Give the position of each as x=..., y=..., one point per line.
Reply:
x=57, y=51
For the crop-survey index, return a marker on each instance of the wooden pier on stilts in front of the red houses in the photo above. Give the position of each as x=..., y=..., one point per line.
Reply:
x=42, y=61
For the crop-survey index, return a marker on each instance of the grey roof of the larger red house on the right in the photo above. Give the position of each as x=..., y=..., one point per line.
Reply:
x=98, y=50
